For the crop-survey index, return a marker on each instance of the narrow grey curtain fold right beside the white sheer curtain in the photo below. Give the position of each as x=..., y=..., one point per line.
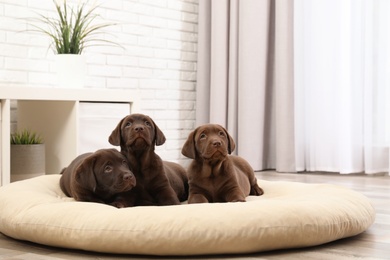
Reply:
x=284, y=86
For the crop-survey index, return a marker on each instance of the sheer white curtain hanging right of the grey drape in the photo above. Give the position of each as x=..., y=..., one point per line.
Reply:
x=342, y=85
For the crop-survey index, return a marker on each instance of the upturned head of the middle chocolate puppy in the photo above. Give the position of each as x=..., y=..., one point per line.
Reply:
x=137, y=132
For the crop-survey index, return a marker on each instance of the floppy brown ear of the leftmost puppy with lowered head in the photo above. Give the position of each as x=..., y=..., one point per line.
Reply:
x=84, y=175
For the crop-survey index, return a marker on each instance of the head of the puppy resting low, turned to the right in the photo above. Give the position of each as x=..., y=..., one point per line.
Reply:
x=105, y=173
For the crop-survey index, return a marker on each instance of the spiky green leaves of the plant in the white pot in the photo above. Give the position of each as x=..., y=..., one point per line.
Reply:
x=72, y=29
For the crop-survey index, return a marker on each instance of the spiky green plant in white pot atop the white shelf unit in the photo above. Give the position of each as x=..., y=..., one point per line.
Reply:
x=71, y=31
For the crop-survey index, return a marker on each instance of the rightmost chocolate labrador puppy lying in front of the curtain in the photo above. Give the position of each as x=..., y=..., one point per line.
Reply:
x=215, y=175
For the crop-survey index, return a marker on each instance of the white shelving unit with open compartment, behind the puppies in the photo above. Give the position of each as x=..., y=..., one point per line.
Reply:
x=53, y=113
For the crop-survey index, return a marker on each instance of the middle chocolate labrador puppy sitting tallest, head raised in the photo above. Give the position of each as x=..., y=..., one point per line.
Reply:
x=158, y=182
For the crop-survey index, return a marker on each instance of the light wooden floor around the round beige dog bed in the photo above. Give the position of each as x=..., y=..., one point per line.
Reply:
x=372, y=244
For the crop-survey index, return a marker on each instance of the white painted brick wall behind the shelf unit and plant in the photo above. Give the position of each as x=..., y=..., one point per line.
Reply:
x=159, y=57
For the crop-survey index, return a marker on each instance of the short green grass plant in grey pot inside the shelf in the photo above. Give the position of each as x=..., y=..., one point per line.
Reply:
x=27, y=155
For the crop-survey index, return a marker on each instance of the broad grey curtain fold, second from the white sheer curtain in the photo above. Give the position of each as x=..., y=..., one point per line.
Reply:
x=256, y=121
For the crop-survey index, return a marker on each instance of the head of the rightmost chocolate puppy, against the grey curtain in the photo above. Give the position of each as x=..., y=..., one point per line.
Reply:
x=208, y=142
